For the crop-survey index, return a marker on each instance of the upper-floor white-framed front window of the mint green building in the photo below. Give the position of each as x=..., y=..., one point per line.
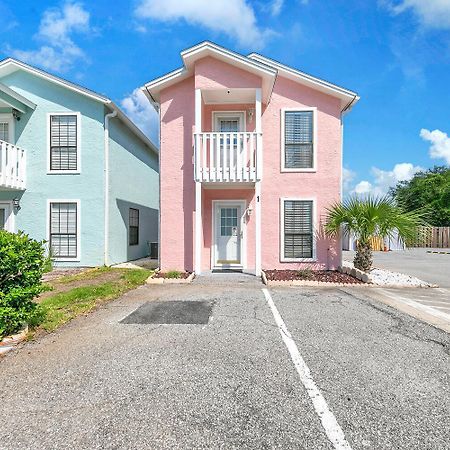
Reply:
x=64, y=142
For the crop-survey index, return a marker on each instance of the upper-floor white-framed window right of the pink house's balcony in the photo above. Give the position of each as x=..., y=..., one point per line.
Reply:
x=298, y=140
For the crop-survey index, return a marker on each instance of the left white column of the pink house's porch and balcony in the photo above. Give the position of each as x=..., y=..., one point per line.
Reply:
x=198, y=187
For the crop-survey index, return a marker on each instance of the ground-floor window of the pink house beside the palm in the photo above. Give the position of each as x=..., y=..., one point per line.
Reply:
x=297, y=239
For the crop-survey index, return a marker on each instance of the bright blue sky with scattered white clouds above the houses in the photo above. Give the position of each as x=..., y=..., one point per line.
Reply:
x=394, y=53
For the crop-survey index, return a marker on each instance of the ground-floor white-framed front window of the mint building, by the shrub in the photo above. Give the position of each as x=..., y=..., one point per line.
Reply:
x=63, y=229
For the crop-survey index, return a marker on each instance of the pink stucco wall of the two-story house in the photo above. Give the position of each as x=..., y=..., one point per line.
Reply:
x=176, y=170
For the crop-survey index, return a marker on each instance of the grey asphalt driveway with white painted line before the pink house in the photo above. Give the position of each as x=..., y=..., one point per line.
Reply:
x=344, y=372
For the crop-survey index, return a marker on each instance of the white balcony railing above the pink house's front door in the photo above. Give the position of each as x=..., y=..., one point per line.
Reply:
x=228, y=157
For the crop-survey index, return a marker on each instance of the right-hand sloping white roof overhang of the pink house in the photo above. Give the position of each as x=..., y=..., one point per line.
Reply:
x=348, y=98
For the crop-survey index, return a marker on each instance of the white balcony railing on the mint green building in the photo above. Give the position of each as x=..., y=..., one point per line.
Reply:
x=12, y=166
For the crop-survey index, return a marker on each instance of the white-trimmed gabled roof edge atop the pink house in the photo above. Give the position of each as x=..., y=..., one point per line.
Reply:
x=267, y=68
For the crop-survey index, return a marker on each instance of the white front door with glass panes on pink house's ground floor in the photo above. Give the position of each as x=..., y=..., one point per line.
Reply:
x=228, y=234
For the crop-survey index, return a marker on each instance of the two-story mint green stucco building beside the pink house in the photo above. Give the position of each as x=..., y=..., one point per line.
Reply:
x=74, y=170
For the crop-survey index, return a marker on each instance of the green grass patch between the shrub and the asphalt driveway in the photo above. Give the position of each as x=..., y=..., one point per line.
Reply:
x=64, y=306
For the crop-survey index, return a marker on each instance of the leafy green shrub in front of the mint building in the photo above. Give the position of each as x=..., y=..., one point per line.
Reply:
x=22, y=263
